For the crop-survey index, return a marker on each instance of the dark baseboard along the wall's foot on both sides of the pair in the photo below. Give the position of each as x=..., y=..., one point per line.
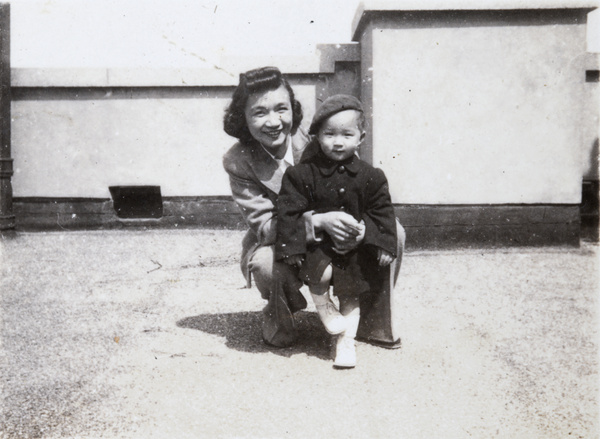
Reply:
x=427, y=226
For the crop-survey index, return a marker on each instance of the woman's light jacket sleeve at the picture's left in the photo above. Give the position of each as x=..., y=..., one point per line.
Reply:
x=255, y=205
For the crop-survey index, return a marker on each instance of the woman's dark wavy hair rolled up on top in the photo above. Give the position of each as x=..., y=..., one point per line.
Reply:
x=256, y=81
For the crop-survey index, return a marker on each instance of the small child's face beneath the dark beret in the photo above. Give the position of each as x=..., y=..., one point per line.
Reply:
x=340, y=136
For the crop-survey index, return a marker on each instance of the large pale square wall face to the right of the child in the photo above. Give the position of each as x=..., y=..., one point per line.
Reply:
x=476, y=115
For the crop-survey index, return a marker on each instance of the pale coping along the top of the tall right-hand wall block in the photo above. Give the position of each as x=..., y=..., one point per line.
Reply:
x=367, y=7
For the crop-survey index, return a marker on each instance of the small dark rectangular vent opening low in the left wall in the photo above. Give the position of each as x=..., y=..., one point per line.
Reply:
x=137, y=201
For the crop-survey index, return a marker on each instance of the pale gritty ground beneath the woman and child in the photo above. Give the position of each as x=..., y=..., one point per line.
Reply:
x=150, y=334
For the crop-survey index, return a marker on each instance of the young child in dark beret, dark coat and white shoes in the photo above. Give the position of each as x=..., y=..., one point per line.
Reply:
x=334, y=179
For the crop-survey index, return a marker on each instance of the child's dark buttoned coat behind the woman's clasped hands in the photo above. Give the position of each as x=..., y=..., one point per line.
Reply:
x=352, y=186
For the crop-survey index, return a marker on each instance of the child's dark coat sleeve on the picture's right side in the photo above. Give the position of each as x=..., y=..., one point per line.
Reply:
x=380, y=218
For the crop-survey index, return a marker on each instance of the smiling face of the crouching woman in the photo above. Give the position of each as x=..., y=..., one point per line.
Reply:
x=269, y=117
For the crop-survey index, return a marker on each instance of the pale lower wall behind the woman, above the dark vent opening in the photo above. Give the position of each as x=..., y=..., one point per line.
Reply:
x=77, y=148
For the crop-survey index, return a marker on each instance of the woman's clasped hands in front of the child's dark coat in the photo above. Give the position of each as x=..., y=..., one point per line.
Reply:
x=341, y=227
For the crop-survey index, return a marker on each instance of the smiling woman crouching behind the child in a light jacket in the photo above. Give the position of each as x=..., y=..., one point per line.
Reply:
x=265, y=116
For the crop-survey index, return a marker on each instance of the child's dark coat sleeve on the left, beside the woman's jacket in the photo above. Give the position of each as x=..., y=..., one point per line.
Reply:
x=292, y=206
